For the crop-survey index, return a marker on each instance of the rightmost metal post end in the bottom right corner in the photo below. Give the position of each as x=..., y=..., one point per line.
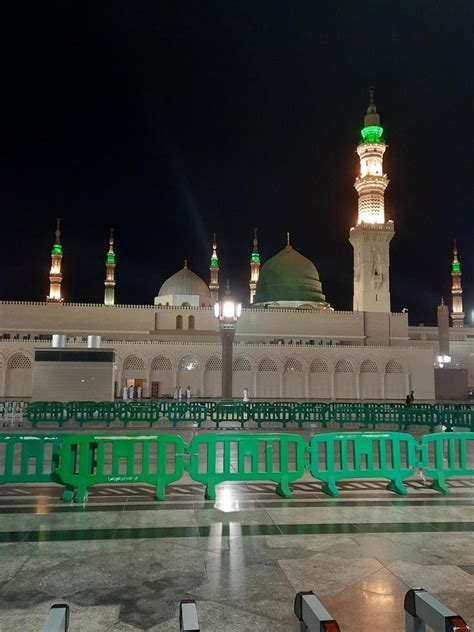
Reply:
x=422, y=609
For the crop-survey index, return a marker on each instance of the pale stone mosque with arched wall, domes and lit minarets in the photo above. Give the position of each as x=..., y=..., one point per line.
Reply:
x=289, y=342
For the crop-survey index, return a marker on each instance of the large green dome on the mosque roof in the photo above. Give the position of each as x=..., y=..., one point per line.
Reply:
x=289, y=276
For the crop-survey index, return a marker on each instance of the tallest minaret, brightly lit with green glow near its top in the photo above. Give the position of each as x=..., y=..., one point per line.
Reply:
x=371, y=236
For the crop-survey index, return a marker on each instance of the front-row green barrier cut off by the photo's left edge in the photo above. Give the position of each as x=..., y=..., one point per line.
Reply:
x=28, y=458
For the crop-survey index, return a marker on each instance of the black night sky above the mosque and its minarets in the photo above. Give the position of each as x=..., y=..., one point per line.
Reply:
x=172, y=120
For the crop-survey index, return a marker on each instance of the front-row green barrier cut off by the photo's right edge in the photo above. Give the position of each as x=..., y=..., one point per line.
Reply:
x=445, y=455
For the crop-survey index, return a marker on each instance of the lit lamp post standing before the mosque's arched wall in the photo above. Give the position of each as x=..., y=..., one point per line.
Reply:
x=227, y=312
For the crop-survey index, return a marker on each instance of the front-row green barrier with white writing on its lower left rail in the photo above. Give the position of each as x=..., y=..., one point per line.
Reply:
x=86, y=460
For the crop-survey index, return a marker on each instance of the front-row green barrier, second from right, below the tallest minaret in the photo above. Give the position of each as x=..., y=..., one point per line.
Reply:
x=335, y=456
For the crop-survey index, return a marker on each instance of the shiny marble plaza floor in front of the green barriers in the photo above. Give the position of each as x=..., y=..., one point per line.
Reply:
x=124, y=561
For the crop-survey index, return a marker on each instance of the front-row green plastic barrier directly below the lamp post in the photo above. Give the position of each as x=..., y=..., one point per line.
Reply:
x=247, y=457
